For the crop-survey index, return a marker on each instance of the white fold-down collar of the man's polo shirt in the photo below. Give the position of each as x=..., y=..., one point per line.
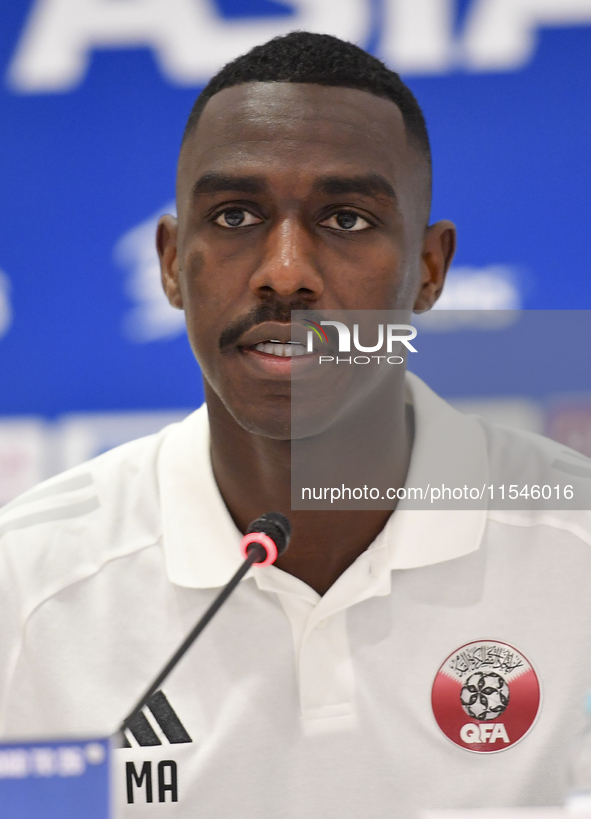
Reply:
x=201, y=541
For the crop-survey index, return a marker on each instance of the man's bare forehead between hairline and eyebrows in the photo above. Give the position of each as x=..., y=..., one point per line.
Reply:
x=299, y=131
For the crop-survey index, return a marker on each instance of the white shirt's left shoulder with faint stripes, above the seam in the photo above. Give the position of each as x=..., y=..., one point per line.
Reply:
x=68, y=528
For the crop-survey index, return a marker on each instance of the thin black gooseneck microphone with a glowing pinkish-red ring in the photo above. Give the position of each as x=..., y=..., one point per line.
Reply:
x=266, y=538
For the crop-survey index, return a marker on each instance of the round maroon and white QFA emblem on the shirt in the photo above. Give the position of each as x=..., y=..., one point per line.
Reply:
x=486, y=696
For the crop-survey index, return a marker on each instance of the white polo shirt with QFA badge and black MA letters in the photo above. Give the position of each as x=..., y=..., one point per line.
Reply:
x=366, y=702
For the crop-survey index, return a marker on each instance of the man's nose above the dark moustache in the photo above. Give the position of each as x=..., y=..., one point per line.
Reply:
x=288, y=267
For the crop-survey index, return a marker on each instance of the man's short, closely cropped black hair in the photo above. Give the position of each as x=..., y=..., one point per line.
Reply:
x=303, y=57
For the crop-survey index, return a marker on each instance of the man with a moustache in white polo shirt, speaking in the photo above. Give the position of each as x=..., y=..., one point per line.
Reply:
x=373, y=669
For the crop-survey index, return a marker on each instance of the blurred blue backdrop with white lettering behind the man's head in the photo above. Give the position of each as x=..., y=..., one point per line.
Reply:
x=94, y=100
